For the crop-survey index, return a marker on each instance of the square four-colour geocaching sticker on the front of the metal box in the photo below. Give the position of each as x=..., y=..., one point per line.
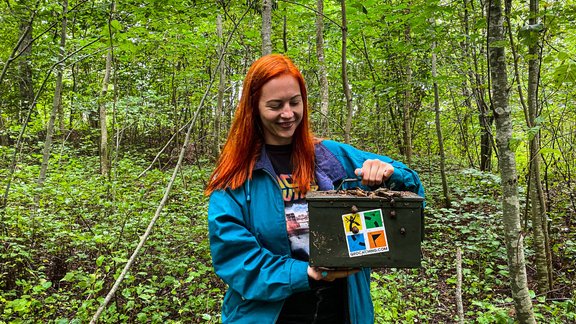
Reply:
x=365, y=233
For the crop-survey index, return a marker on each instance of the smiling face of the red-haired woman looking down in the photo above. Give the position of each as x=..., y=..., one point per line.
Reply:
x=281, y=109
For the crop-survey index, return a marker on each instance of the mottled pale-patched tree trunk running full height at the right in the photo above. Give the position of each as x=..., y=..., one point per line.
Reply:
x=507, y=163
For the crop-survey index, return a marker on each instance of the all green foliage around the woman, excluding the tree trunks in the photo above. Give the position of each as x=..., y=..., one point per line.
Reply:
x=61, y=254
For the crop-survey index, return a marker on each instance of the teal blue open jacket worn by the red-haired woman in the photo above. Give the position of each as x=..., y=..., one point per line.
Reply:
x=249, y=242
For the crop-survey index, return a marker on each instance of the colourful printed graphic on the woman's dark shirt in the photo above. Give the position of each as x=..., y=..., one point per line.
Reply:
x=296, y=209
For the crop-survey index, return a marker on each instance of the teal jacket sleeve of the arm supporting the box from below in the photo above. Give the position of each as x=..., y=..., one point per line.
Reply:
x=239, y=259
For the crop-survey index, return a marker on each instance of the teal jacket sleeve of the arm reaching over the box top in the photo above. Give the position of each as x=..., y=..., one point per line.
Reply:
x=403, y=178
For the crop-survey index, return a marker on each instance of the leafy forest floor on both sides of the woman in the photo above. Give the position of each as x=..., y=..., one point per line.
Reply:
x=60, y=257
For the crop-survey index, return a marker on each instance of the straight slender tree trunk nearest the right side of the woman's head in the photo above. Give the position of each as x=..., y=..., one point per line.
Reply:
x=323, y=76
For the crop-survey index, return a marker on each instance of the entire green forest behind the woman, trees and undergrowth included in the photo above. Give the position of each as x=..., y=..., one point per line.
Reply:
x=113, y=113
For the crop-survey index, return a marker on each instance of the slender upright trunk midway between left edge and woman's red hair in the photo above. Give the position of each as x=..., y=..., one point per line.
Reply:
x=104, y=151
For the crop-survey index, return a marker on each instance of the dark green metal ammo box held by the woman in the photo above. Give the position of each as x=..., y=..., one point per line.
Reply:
x=356, y=228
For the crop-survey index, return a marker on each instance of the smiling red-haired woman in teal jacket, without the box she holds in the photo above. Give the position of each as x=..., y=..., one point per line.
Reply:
x=257, y=216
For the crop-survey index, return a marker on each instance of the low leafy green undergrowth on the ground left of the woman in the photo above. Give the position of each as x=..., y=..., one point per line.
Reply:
x=58, y=261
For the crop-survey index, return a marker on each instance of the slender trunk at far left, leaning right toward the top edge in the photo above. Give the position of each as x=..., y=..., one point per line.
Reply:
x=57, y=102
